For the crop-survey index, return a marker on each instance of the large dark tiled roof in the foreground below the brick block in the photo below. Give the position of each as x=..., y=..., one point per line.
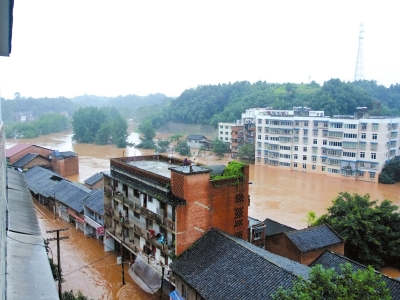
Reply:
x=219, y=266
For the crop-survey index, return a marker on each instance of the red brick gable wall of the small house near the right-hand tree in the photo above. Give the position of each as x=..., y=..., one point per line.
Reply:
x=280, y=244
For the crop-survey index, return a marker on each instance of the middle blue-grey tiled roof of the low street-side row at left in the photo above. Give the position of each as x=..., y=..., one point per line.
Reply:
x=71, y=194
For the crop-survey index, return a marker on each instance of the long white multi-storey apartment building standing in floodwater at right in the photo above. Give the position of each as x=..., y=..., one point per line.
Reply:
x=342, y=146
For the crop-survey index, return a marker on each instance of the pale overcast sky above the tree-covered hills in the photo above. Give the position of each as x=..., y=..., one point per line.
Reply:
x=116, y=47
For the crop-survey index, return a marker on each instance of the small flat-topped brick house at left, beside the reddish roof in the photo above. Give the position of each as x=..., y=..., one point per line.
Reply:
x=65, y=163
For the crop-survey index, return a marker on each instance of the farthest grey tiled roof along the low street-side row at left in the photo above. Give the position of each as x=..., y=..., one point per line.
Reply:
x=42, y=181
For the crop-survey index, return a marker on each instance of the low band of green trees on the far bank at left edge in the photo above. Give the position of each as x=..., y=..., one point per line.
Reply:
x=46, y=124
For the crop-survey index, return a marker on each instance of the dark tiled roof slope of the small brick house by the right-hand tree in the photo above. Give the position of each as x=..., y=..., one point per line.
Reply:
x=313, y=238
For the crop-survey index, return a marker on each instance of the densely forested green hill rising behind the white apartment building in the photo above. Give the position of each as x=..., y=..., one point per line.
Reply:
x=225, y=102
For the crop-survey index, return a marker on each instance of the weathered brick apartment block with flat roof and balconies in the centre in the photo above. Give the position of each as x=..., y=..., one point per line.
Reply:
x=156, y=207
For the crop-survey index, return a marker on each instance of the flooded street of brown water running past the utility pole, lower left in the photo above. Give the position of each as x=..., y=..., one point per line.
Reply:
x=85, y=265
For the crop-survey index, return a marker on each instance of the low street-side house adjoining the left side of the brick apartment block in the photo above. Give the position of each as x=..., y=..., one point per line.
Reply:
x=94, y=214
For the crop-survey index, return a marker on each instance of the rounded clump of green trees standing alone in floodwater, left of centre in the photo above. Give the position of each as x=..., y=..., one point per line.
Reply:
x=100, y=126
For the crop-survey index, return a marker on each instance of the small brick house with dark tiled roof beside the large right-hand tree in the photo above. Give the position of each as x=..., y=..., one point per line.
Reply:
x=307, y=244
